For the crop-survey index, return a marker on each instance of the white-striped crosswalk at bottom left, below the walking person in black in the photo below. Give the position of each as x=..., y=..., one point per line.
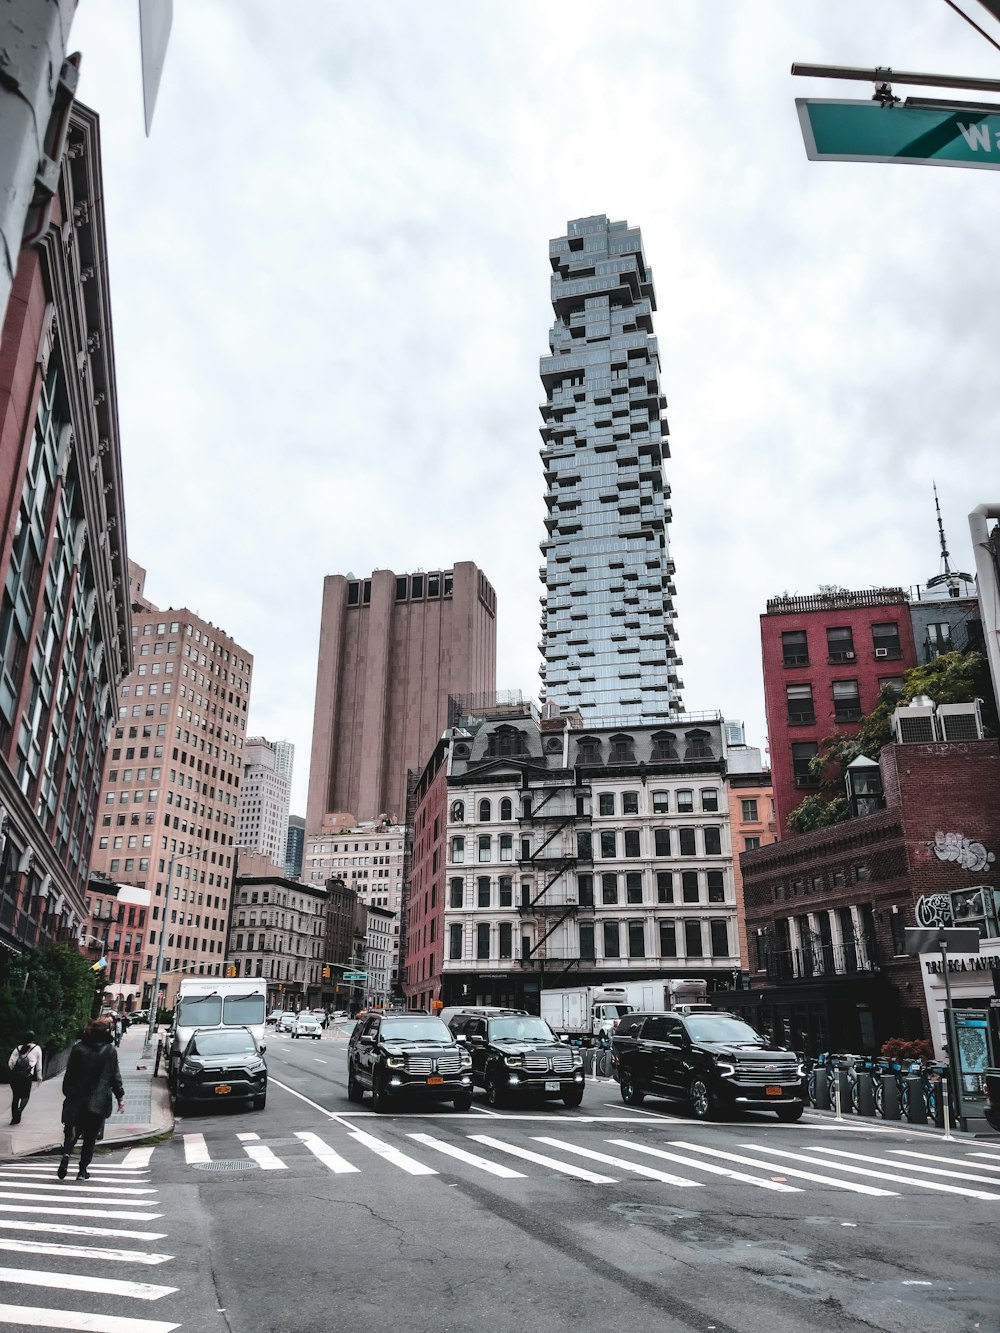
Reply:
x=101, y=1258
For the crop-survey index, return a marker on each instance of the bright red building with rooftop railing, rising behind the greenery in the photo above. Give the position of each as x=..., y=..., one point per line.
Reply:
x=826, y=658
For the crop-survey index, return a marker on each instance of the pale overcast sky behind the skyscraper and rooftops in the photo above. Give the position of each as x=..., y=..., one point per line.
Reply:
x=330, y=287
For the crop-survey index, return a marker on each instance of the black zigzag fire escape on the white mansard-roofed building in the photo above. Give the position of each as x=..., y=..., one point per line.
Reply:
x=558, y=899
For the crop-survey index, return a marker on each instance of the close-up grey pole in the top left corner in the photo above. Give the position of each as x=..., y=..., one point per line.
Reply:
x=37, y=94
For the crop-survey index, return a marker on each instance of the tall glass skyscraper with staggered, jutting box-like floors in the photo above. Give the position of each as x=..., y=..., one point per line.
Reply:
x=609, y=638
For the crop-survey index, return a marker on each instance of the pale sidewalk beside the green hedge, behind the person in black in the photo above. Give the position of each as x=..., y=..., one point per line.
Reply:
x=147, y=1107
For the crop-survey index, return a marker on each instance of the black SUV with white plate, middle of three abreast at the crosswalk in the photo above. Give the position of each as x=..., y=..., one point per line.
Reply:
x=519, y=1055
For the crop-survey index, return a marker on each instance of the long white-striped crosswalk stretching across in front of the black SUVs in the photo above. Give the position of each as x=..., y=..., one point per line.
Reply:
x=674, y=1163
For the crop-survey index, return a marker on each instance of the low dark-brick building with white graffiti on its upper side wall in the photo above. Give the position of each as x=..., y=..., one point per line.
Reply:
x=827, y=911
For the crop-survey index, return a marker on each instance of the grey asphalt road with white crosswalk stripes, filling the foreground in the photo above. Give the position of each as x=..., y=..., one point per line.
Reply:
x=317, y=1215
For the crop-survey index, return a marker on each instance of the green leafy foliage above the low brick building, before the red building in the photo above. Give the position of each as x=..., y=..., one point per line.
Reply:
x=950, y=679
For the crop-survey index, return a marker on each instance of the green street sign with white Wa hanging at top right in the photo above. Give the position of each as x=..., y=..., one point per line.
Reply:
x=925, y=137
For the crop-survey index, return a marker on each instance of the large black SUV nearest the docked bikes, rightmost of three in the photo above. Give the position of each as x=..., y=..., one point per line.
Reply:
x=711, y=1059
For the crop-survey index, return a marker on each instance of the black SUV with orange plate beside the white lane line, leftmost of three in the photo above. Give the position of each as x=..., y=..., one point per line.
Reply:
x=397, y=1055
